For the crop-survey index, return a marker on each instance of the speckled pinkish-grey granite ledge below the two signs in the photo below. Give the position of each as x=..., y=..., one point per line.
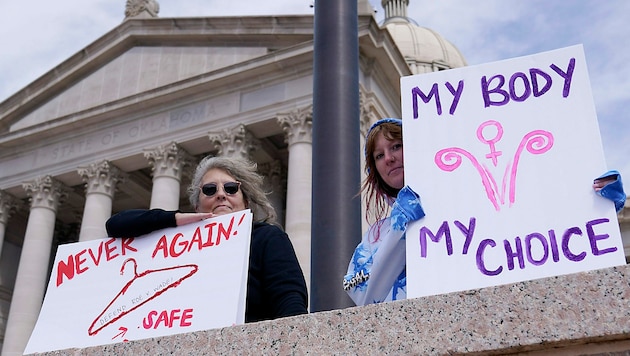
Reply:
x=585, y=313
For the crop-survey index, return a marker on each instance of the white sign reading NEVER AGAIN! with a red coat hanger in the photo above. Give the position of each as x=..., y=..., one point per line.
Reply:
x=171, y=281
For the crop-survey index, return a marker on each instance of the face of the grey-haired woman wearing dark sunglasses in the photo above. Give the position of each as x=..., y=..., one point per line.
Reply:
x=215, y=199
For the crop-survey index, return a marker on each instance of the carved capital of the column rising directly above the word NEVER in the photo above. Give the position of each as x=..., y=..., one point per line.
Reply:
x=102, y=177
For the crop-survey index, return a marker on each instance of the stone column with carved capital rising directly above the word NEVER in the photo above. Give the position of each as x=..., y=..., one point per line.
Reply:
x=100, y=180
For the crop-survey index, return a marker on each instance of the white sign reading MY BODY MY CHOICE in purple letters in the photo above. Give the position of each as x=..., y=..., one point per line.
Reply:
x=503, y=156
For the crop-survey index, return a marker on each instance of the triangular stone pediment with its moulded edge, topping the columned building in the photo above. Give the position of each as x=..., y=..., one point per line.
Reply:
x=143, y=55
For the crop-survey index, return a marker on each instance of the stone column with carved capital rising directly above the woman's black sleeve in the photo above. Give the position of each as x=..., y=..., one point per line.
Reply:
x=168, y=162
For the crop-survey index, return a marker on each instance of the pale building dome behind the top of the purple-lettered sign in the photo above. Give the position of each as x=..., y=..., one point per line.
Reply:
x=424, y=49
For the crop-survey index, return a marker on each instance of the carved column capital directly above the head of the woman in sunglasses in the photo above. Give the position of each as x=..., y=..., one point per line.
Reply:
x=234, y=142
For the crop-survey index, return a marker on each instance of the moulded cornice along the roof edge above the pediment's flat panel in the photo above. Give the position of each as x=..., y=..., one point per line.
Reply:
x=272, y=32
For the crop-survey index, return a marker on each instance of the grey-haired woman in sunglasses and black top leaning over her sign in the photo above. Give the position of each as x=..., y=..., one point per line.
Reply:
x=275, y=284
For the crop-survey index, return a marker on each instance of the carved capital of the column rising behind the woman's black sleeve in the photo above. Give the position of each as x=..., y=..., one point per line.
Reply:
x=168, y=160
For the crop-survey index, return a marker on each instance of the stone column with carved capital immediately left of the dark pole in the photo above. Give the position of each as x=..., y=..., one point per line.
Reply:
x=297, y=126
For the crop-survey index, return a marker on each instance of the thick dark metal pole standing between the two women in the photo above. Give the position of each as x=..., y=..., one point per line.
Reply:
x=336, y=217
